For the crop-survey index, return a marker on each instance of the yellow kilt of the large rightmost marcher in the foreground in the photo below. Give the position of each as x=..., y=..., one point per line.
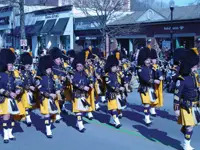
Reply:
x=185, y=118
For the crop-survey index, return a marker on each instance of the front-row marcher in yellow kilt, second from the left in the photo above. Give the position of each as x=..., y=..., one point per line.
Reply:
x=49, y=106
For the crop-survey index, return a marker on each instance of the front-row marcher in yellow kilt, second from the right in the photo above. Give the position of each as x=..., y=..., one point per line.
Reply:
x=147, y=83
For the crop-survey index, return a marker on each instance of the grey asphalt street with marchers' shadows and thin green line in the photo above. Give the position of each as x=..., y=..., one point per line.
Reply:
x=164, y=134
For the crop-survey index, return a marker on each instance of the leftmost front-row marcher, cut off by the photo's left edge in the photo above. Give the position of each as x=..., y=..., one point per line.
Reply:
x=9, y=90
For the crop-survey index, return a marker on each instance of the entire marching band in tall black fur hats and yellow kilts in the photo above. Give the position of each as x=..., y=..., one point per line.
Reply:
x=87, y=78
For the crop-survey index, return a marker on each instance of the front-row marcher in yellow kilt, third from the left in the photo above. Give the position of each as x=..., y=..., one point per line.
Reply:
x=81, y=89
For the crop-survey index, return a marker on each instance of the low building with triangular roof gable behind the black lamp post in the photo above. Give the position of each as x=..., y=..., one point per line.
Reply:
x=157, y=25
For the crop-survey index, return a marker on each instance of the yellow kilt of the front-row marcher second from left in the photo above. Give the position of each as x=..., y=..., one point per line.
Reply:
x=44, y=108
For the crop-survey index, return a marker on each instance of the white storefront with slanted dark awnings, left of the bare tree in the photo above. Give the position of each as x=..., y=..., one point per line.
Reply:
x=49, y=28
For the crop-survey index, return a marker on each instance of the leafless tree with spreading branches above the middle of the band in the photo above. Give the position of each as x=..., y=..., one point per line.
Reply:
x=105, y=11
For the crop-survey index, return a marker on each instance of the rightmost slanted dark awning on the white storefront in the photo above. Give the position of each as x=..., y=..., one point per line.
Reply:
x=60, y=26
